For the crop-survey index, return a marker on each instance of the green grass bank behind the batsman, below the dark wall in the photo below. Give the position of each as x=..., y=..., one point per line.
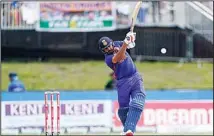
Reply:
x=94, y=74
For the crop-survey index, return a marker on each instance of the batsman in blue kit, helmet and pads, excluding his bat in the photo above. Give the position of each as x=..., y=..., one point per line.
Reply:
x=131, y=93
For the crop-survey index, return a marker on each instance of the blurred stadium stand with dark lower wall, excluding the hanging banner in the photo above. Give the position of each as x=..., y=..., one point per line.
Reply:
x=185, y=29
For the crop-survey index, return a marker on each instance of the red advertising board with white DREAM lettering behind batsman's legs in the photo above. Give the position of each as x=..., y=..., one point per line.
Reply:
x=172, y=113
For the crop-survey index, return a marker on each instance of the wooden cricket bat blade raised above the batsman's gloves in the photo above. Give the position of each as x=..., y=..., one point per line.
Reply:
x=134, y=15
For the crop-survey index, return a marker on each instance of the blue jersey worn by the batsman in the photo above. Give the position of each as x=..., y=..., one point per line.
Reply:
x=124, y=69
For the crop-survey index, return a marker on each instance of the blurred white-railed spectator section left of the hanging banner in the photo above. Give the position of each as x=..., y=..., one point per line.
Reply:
x=13, y=15
